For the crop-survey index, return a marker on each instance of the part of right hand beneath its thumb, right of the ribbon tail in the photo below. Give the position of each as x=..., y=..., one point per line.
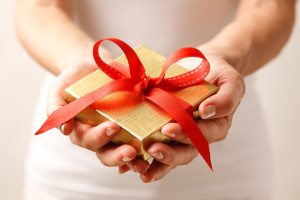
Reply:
x=215, y=129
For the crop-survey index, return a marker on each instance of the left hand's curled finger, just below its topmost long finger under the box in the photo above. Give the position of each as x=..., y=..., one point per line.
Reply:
x=112, y=155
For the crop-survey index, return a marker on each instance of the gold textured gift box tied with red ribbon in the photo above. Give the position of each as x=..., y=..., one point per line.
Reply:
x=140, y=119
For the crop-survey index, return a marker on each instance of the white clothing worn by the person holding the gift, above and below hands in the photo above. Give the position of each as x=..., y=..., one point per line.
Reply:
x=241, y=162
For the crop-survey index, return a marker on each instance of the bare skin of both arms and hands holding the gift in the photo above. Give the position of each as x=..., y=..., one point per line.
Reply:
x=241, y=48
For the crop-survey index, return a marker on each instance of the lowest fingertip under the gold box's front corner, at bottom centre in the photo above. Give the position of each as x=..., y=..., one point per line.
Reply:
x=156, y=172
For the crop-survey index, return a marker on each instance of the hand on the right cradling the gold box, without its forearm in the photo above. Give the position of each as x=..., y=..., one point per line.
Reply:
x=216, y=113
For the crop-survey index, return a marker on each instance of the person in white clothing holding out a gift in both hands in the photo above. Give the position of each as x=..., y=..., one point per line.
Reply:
x=237, y=37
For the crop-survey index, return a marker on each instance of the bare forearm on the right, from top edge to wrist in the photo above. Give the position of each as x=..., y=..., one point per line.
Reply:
x=257, y=34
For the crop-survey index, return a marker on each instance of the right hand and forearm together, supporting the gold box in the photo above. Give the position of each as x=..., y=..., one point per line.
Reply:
x=247, y=47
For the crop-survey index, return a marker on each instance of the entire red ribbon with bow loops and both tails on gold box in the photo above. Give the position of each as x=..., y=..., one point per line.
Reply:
x=157, y=90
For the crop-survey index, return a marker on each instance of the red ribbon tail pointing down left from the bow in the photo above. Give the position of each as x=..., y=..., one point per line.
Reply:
x=70, y=110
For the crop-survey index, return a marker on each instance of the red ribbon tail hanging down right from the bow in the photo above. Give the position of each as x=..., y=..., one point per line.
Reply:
x=174, y=107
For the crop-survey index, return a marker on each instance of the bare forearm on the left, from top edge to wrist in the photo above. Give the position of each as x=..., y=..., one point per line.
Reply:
x=47, y=31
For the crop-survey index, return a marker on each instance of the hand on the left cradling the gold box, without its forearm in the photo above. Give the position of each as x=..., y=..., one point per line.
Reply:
x=95, y=138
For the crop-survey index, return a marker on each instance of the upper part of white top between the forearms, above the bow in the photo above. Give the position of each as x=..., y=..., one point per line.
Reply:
x=162, y=25
